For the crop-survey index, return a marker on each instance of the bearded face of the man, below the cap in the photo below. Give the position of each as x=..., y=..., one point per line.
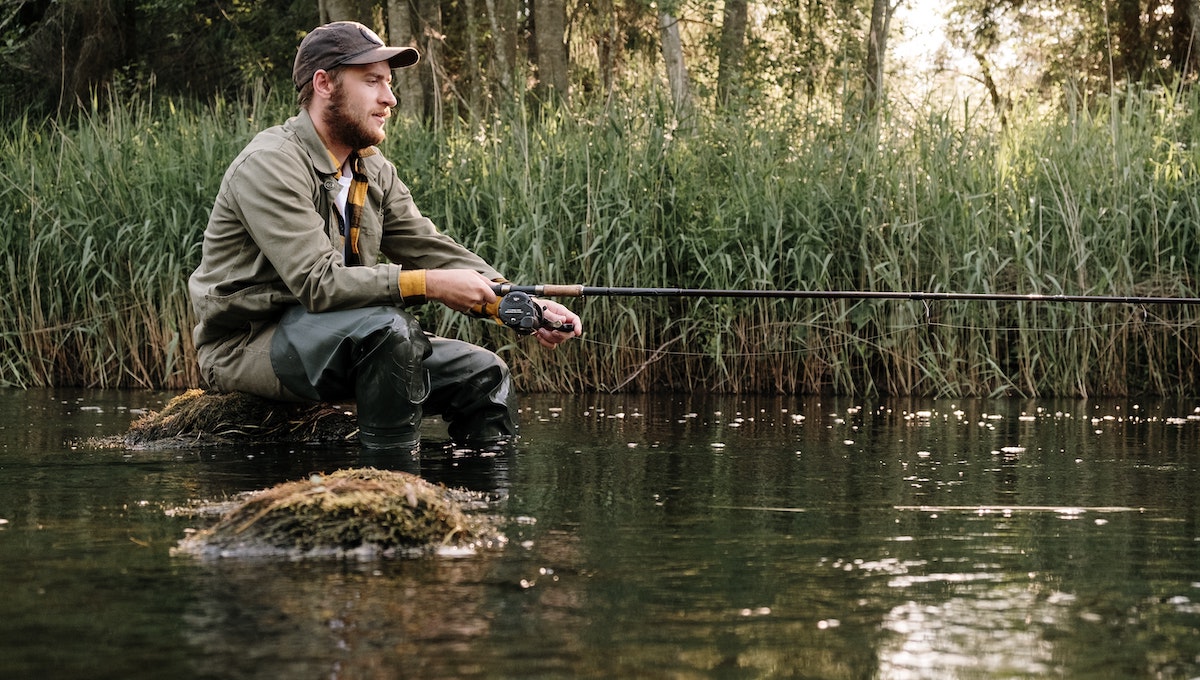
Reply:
x=361, y=104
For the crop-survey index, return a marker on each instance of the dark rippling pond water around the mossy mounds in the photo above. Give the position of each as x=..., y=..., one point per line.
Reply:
x=650, y=537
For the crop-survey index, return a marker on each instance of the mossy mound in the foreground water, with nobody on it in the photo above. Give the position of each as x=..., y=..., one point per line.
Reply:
x=357, y=511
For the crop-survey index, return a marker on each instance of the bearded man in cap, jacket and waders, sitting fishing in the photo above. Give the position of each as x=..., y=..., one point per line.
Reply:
x=293, y=298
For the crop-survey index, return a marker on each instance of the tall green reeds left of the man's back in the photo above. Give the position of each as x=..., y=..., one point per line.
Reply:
x=105, y=224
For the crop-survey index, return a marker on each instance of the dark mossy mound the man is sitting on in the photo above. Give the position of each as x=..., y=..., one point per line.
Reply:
x=197, y=418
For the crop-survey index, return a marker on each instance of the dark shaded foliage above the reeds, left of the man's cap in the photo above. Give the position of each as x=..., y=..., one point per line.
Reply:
x=67, y=56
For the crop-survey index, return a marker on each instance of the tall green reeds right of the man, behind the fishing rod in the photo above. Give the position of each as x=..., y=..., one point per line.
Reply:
x=1096, y=200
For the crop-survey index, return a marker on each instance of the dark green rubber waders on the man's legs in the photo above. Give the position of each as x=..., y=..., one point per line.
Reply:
x=381, y=358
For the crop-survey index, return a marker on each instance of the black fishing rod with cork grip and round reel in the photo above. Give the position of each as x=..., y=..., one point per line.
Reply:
x=521, y=314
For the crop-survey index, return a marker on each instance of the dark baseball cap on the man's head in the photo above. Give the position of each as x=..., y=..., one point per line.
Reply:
x=345, y=43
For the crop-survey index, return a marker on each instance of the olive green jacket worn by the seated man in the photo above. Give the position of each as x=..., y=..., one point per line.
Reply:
x=274, y=240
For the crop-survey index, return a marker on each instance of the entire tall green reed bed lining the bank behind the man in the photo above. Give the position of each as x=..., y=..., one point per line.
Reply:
x=1100, y=200
